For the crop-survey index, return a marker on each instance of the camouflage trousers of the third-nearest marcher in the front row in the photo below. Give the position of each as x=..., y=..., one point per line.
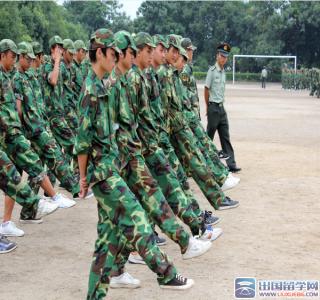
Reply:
x=161, y=170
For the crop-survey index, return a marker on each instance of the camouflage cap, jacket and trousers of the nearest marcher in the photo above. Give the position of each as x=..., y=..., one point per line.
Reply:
x=120, y=214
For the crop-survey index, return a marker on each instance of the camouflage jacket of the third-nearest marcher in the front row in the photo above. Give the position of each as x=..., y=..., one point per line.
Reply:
x=137, y=90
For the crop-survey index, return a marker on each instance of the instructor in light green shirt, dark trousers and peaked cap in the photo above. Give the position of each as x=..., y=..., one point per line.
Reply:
x=214, y=98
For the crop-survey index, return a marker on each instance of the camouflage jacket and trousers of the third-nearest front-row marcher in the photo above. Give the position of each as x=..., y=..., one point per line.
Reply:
x=154, y=156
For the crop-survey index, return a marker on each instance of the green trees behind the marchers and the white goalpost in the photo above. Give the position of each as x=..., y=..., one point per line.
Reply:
x=251, y=27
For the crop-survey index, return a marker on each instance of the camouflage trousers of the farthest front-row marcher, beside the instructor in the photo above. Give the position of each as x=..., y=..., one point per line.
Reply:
x=209, y=152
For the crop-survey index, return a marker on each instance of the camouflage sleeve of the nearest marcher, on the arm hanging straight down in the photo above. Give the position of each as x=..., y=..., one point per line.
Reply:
x=87, y=109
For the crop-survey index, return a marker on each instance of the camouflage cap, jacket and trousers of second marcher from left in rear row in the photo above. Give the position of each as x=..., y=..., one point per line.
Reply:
x=35, y=128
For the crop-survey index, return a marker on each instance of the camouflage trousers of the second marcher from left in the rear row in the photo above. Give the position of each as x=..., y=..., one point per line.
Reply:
x=50, y=153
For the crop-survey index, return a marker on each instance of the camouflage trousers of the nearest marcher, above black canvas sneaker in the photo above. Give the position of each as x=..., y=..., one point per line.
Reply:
x=122, y=223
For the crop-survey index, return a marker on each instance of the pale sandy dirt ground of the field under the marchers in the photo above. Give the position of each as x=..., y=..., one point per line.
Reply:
x=273, y=234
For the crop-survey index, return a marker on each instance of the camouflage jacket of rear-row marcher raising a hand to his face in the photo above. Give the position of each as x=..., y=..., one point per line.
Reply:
x=52, y=94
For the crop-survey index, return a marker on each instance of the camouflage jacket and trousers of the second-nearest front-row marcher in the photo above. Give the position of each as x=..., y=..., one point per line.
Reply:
x=134, y=169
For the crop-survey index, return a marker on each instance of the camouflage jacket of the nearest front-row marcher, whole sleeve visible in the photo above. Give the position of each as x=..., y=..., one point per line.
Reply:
x=96, y=133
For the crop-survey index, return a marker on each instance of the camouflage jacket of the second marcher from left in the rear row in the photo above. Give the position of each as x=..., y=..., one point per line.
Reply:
x=31, y=114
